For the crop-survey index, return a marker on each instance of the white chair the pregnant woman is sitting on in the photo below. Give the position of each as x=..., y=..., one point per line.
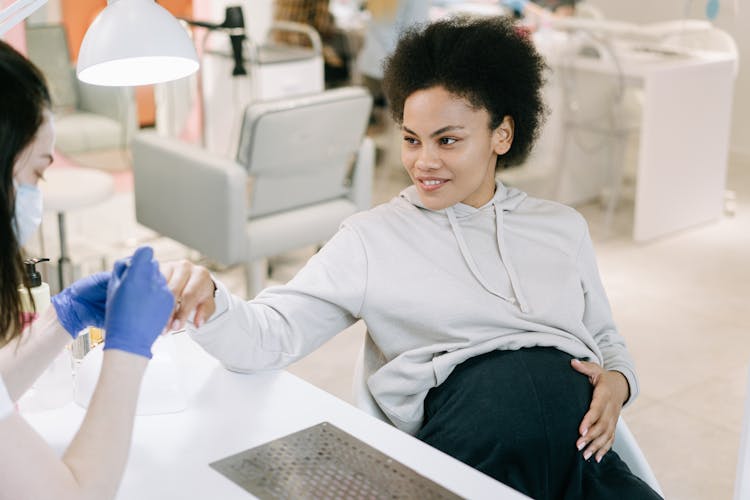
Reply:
x=370, y=359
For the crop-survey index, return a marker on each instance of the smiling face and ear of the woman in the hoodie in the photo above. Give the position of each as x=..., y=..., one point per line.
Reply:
x=448, y=149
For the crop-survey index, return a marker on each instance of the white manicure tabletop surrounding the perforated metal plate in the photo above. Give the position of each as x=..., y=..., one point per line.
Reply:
x=229, y=413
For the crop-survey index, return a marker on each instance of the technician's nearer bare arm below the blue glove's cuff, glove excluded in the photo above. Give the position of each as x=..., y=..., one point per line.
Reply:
x=93, y=463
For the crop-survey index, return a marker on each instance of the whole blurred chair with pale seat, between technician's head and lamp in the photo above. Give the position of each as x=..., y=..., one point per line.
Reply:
x=87, y=117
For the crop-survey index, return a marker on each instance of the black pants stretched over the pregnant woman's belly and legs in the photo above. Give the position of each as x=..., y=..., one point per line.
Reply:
x=514, y=415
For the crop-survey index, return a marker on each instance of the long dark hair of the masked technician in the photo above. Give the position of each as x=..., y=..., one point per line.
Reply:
x=23, y=98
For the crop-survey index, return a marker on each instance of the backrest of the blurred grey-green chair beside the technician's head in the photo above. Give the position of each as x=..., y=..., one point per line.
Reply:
x=47, y=47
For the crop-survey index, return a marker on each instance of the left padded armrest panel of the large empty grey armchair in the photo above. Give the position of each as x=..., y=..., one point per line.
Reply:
x=190, y=195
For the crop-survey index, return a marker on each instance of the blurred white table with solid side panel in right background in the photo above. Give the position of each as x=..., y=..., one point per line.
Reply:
x=684, y=132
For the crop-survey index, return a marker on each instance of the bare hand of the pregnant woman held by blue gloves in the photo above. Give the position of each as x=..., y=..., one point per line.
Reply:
x=193, y=289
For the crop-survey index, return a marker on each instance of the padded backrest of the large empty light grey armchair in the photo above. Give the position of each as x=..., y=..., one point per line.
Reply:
x=301, y=151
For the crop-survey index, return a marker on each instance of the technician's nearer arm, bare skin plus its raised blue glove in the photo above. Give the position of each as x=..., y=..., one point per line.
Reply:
x=138, y=304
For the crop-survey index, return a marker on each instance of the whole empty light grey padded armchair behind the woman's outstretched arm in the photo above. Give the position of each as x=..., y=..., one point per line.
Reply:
x=303, y=166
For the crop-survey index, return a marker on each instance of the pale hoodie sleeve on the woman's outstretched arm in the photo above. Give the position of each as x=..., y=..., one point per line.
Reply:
x=285, y=323
